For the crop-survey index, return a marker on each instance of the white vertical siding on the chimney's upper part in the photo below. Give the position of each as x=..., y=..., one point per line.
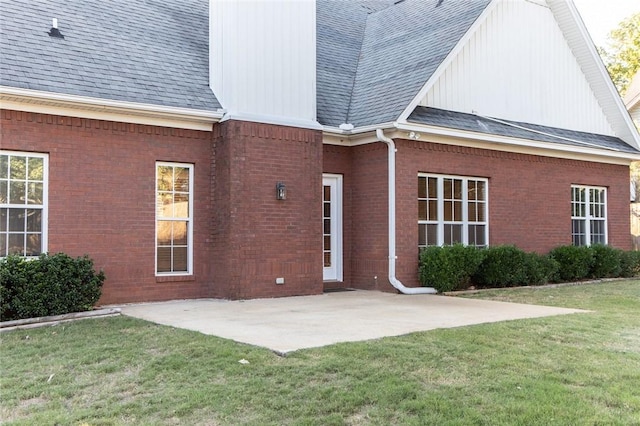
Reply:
x=263, y=57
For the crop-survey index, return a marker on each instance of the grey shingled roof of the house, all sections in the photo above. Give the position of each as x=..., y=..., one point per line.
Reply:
x=373, y=57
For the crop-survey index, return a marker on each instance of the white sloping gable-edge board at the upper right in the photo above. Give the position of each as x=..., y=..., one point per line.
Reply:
x=580, y=43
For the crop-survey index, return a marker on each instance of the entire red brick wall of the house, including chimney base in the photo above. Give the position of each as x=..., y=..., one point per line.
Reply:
x=102, y=202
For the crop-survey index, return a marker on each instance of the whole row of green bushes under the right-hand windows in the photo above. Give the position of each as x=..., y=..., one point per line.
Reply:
x=459, y=267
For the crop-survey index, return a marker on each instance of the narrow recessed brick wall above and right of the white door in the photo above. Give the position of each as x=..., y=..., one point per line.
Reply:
x=337, y=160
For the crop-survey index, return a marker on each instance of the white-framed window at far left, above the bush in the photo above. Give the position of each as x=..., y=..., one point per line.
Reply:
x=23, y=200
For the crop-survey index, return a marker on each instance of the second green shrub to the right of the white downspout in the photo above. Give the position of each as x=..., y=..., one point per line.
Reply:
x=502, y=266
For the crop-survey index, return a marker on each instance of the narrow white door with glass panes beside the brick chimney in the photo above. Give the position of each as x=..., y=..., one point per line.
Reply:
x=332, y=227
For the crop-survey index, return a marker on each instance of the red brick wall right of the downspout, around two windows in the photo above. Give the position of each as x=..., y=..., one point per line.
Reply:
x=529, y=196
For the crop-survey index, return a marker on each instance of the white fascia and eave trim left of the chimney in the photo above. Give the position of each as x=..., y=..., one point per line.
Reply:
x=106, y=109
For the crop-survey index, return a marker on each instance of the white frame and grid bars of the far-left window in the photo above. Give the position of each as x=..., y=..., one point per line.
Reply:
x=44, y=235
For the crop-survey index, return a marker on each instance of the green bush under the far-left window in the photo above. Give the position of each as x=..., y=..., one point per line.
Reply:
x=50, y=285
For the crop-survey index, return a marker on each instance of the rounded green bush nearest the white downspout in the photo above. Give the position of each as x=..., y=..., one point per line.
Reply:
x=448, y=268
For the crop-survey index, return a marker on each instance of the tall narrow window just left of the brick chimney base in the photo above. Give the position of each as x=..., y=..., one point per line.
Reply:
x=174, y=216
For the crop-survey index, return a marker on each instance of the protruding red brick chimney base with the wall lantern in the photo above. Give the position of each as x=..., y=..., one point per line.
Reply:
x=258, y=238
